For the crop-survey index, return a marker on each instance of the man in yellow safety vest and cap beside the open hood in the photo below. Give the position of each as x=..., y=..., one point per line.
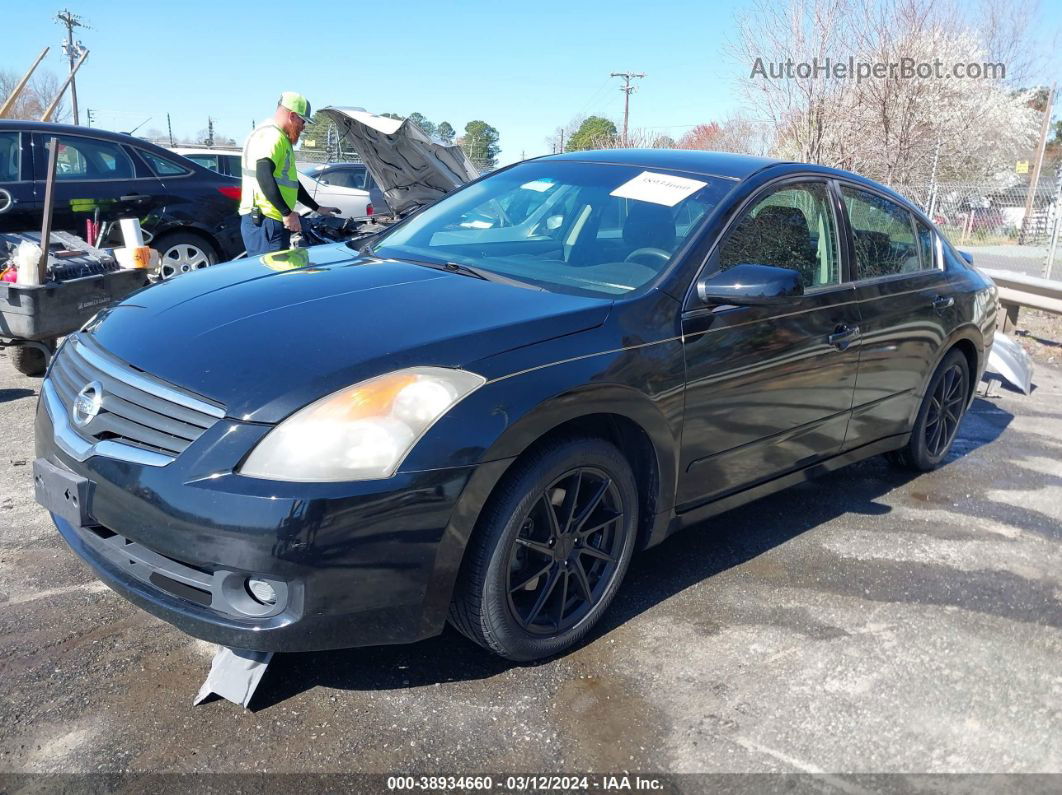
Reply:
x=271, y=185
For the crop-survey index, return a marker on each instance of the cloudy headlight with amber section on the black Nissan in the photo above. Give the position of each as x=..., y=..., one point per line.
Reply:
x=363, y=433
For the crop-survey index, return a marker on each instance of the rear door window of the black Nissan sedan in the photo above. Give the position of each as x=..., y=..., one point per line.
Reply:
x=883, y=235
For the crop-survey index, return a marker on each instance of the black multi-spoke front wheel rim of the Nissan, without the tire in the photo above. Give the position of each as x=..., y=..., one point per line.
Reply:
x=567, y=552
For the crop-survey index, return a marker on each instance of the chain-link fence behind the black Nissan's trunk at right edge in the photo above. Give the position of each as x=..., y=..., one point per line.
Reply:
x=994, y=223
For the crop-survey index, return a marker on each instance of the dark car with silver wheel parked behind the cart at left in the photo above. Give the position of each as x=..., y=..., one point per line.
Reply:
x=190, y=211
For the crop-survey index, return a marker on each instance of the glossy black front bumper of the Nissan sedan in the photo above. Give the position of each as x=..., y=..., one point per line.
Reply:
x=357, y=564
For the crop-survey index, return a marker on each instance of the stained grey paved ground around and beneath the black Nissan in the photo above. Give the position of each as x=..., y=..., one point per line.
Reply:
x=868, y=623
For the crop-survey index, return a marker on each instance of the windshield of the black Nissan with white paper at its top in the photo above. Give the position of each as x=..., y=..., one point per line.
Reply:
x=588, y=229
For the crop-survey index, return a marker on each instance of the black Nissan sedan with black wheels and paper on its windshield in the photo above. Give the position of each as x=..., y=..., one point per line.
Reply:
x=483, y=414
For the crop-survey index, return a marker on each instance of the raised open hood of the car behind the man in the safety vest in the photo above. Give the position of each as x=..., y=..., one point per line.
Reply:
x=413, y=170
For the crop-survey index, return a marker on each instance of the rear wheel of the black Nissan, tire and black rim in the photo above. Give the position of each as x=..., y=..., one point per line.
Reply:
x=939, y=417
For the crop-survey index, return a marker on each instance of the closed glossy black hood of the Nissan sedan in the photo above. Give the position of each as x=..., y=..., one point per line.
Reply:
x=266, y=336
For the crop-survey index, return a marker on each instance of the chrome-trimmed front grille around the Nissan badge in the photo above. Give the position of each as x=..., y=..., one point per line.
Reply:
x=136, y=409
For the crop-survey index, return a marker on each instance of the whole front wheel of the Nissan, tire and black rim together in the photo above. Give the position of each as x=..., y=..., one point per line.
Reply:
x=533, y=586
